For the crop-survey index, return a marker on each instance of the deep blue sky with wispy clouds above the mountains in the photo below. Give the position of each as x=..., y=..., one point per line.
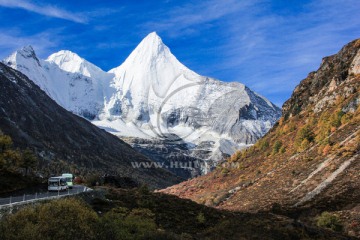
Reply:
x=268, y=45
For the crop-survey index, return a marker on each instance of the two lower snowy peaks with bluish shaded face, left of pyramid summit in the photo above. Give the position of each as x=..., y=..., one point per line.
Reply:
x=71, y=81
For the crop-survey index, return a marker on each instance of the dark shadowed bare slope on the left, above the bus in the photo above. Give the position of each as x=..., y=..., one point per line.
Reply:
x=34, y=120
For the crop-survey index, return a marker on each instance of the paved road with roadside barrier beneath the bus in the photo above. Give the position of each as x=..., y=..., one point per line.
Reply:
x=26, y=197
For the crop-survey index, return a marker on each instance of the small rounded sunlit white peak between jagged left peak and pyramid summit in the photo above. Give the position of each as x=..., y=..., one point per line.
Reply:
x=71, y=62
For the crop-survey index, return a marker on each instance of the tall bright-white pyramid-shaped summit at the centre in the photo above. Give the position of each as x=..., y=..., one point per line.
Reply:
x=150, y=67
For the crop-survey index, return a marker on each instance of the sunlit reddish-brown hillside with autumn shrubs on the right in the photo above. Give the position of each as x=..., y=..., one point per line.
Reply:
x=308, y=162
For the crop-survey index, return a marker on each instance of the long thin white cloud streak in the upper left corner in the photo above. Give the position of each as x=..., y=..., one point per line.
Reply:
x=45, y=10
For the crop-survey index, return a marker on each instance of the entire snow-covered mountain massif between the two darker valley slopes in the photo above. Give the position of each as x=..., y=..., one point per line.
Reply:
x=153, y=96
